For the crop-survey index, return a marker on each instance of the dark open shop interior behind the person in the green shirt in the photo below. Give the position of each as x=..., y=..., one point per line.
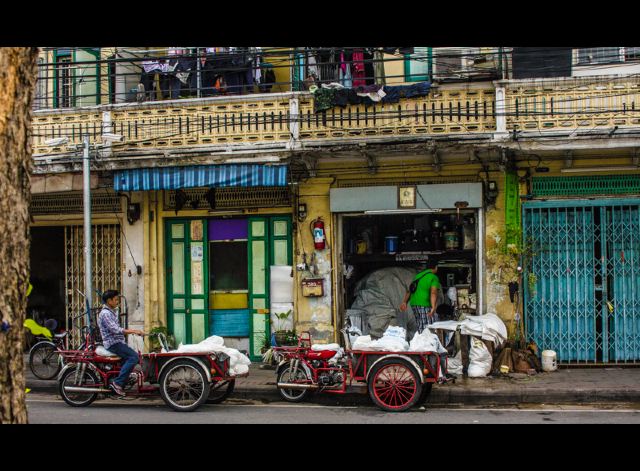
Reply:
x=371, y=243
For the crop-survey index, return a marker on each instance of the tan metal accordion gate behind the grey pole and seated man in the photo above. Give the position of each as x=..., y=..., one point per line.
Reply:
x=107, y=263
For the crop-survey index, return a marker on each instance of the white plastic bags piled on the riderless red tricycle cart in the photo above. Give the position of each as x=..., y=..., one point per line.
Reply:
x=393, y=340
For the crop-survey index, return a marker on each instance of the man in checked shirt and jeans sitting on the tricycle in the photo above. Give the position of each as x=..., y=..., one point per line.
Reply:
x=113, y=339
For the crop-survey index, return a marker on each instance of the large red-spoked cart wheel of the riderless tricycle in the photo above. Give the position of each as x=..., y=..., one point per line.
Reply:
x=394, y=385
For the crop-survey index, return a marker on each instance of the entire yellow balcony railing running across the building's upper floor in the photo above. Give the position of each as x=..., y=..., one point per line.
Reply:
x=288, y=120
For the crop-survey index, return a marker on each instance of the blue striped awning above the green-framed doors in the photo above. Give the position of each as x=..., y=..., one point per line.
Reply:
x=173, y=178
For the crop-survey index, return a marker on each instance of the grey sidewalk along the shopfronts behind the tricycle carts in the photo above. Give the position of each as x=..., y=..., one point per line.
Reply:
x=567, y=385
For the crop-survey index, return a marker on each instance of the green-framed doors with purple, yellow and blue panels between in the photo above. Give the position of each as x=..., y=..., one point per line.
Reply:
x=218, y=277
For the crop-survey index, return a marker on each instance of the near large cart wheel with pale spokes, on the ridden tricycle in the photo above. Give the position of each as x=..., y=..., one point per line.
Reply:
x=184, y=386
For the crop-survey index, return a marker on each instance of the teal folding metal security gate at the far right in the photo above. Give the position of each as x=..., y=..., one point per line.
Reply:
x=585, y=302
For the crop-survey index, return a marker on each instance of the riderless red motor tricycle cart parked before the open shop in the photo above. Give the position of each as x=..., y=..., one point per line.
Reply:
x=396, y=381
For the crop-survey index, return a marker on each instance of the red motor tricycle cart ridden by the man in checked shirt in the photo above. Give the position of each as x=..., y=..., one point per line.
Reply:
x=185, y=381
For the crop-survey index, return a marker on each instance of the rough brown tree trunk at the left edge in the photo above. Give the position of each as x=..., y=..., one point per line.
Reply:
x=18, y=76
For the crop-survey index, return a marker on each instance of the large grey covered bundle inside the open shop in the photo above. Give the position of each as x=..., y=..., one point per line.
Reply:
x=379, y=294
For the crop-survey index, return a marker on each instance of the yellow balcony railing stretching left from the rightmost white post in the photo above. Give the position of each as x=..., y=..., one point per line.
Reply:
x=264, y=119
